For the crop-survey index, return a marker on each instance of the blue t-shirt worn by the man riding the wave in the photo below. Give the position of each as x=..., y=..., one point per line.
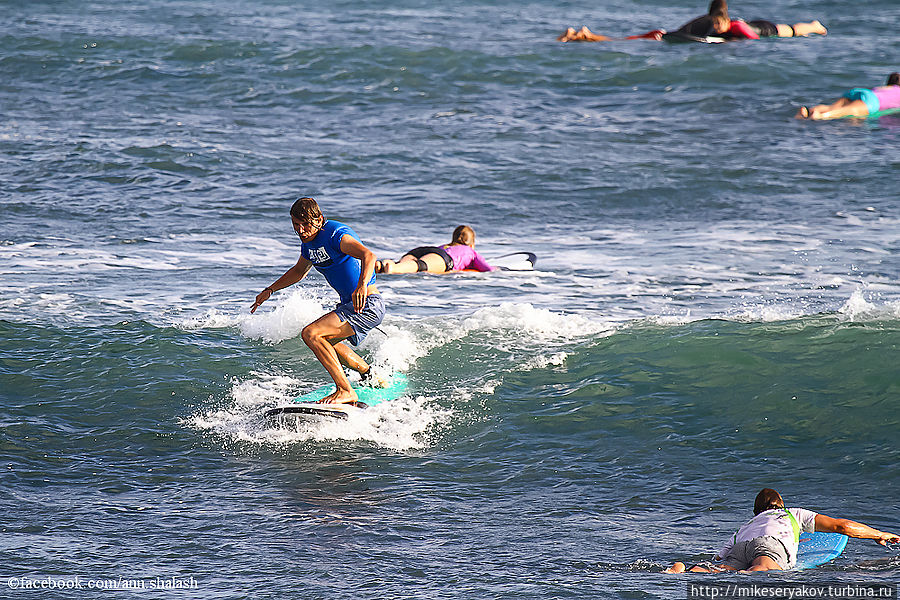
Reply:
x=324, y=252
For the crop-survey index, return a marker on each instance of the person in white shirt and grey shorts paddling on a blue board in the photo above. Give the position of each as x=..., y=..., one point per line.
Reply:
x=769, y=541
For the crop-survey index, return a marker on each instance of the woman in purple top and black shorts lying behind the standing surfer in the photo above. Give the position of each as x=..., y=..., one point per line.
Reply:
x=459, y=254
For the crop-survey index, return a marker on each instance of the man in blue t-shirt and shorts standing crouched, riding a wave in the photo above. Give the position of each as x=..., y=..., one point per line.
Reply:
x=349, y=267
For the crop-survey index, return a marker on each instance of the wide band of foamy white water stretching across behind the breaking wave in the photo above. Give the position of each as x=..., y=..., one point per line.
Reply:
x=586, y=283
